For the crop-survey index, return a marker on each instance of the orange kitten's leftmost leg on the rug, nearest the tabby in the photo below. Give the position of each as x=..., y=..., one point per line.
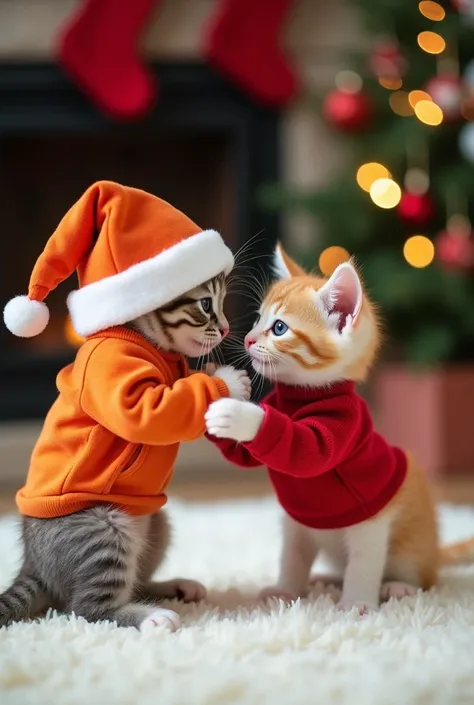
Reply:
x=298, y=554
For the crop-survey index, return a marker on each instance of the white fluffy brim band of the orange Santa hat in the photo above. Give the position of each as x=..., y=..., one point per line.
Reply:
x=150, y=284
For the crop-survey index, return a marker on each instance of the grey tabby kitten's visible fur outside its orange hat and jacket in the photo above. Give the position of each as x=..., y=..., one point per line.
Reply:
x=99, y=562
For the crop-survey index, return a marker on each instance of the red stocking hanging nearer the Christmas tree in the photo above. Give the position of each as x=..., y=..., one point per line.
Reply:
x=243, y=45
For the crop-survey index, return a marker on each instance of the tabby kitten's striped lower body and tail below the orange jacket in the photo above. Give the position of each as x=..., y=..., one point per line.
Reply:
x=96, y=563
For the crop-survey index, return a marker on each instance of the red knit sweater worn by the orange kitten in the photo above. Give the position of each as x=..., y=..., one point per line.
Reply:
x=328, y=465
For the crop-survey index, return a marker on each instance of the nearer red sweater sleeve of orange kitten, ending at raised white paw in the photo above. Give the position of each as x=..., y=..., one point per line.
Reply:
x=306, y=447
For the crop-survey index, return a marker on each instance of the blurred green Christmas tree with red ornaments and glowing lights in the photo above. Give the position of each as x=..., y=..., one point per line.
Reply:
x=403, y=203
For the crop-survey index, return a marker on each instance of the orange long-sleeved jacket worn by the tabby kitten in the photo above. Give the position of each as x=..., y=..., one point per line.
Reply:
x=113, y=433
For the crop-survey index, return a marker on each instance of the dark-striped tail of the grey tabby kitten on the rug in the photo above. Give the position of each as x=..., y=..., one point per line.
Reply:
x=22, y=600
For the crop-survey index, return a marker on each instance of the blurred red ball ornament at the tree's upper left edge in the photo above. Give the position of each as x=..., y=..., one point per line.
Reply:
x=346, y=111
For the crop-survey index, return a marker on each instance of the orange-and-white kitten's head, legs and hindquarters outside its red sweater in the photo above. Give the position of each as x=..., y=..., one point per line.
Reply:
x=313, y=332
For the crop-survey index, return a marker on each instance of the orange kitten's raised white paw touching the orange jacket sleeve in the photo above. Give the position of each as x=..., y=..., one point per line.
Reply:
x=229, y=418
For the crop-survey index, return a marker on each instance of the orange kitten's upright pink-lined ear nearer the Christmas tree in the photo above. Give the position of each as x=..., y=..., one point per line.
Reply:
x=341, y=296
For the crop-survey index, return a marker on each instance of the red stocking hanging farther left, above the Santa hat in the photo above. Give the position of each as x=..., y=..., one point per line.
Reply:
x=97, y=49
